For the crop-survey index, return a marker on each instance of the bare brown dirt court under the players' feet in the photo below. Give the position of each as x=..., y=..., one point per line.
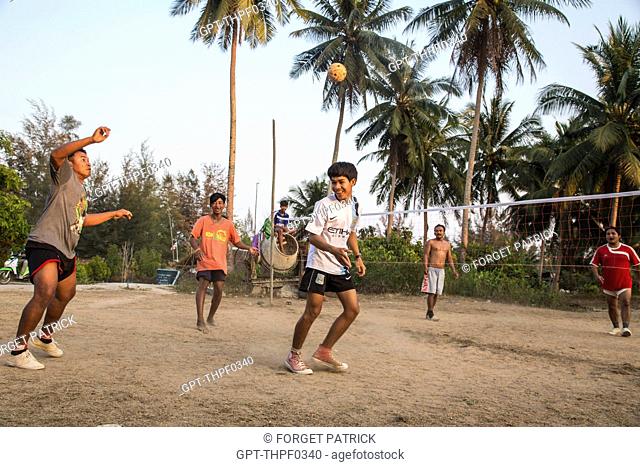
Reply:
x=483, y=364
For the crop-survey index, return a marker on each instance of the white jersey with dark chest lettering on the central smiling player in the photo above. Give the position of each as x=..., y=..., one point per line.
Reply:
x=333, y=220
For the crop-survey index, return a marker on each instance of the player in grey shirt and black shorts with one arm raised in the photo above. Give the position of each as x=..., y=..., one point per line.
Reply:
x=51, y=249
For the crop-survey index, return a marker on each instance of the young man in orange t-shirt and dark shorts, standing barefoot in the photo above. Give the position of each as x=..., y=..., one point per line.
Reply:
x=214, y=232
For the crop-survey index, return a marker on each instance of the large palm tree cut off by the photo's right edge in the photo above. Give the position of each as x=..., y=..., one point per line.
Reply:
x=608, y=157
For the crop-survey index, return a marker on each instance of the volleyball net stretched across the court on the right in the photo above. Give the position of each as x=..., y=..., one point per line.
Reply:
x=538, y=242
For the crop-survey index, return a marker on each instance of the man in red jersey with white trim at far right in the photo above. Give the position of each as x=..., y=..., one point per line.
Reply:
x=616, y=260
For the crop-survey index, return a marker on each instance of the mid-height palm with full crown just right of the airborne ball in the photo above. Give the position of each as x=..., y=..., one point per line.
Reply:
x=400, y=122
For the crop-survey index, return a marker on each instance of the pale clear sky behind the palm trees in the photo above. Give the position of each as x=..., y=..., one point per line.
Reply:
x=132, y=67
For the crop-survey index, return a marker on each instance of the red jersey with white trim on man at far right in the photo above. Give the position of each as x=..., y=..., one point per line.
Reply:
x=616, y=265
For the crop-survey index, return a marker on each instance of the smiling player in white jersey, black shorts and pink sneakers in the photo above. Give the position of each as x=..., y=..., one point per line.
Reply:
x=332, y=234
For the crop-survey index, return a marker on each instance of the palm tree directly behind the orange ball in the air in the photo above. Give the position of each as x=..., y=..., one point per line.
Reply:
x=348, y=32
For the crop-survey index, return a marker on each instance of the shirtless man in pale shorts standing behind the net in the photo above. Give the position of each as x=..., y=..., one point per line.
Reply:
x=437, y=251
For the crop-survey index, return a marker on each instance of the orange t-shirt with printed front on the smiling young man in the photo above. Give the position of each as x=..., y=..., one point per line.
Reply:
x=215, y=236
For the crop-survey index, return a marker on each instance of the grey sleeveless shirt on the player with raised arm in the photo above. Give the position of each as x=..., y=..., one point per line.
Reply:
x=63, y=217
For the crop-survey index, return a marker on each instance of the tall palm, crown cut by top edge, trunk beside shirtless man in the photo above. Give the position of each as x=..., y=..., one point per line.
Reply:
x=496, y=40
